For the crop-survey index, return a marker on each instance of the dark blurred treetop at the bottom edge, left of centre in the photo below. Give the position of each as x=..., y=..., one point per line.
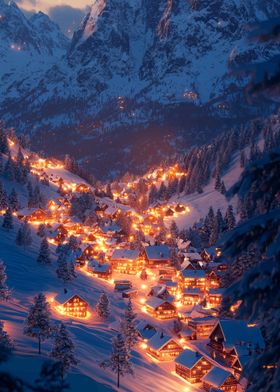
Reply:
x=50, y=378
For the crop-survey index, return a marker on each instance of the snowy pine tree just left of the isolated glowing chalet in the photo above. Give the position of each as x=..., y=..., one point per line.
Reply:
x=38, y=323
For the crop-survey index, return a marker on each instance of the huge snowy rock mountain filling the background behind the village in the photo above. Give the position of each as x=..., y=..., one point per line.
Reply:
x=154, y=74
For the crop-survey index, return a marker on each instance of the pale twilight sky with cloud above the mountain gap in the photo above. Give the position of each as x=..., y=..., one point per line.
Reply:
x=66, y=13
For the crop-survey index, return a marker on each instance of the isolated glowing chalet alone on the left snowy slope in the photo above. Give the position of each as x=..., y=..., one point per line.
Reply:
x=71, y=304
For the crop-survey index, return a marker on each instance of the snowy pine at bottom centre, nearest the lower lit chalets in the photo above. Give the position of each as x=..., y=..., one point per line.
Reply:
x=119, y=359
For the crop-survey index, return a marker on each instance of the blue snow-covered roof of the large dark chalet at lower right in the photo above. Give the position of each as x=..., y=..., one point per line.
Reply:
x=237, y=332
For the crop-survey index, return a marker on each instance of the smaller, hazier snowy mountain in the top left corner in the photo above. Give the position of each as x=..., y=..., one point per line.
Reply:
x=27, y=48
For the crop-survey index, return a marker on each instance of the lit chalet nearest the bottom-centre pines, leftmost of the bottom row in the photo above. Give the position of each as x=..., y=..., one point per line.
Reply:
x=163, y=347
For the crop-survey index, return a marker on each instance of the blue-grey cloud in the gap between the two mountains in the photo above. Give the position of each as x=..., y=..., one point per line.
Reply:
x=68, y=18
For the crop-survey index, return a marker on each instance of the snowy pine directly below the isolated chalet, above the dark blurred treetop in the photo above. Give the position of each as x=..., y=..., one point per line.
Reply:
x=63, y=350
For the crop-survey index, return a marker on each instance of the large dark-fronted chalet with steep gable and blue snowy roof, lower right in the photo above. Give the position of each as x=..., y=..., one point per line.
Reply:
x=228, y=335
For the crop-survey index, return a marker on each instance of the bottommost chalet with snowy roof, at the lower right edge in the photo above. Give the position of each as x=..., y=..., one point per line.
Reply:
x=221, y=379
